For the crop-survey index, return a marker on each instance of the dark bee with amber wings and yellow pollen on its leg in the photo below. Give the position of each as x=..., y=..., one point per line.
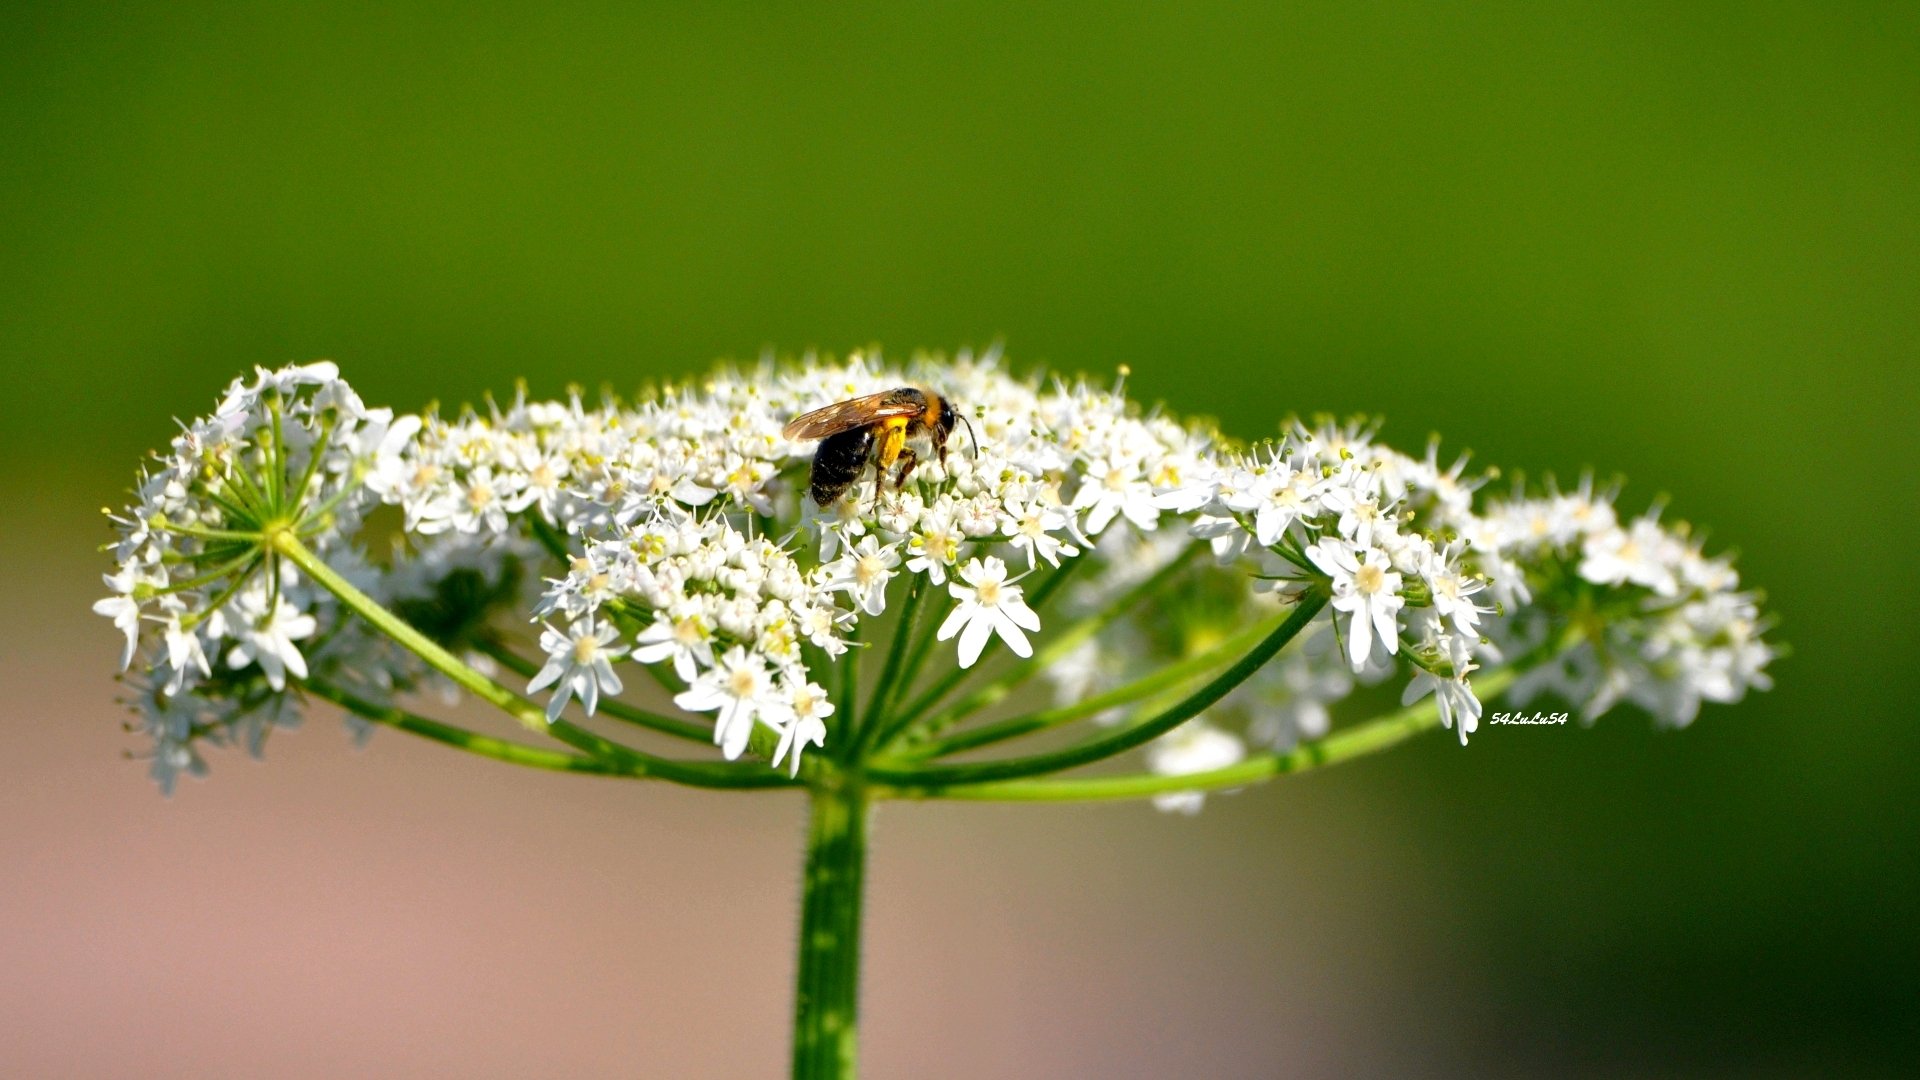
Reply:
x=875, y=431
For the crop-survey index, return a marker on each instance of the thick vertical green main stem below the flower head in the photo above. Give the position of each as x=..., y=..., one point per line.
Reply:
x=827, y=1004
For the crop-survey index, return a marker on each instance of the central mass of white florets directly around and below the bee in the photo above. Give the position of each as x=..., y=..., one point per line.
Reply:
x=692, y=541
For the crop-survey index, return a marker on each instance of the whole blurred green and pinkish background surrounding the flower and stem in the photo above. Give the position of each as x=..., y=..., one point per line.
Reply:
x=1673, y=241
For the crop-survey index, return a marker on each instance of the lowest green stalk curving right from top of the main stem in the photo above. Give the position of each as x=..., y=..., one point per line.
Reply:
x=1341, y=747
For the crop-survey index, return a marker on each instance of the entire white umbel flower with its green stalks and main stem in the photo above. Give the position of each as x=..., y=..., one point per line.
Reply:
x=1088, y=604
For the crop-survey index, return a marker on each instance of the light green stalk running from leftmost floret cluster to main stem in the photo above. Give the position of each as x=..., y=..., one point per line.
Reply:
x=531, y=716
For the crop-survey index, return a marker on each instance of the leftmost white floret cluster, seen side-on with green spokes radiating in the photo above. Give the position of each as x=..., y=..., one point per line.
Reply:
x=226, y=629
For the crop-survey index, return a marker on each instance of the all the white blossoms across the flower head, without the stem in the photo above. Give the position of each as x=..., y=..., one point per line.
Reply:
x=677, y=533
